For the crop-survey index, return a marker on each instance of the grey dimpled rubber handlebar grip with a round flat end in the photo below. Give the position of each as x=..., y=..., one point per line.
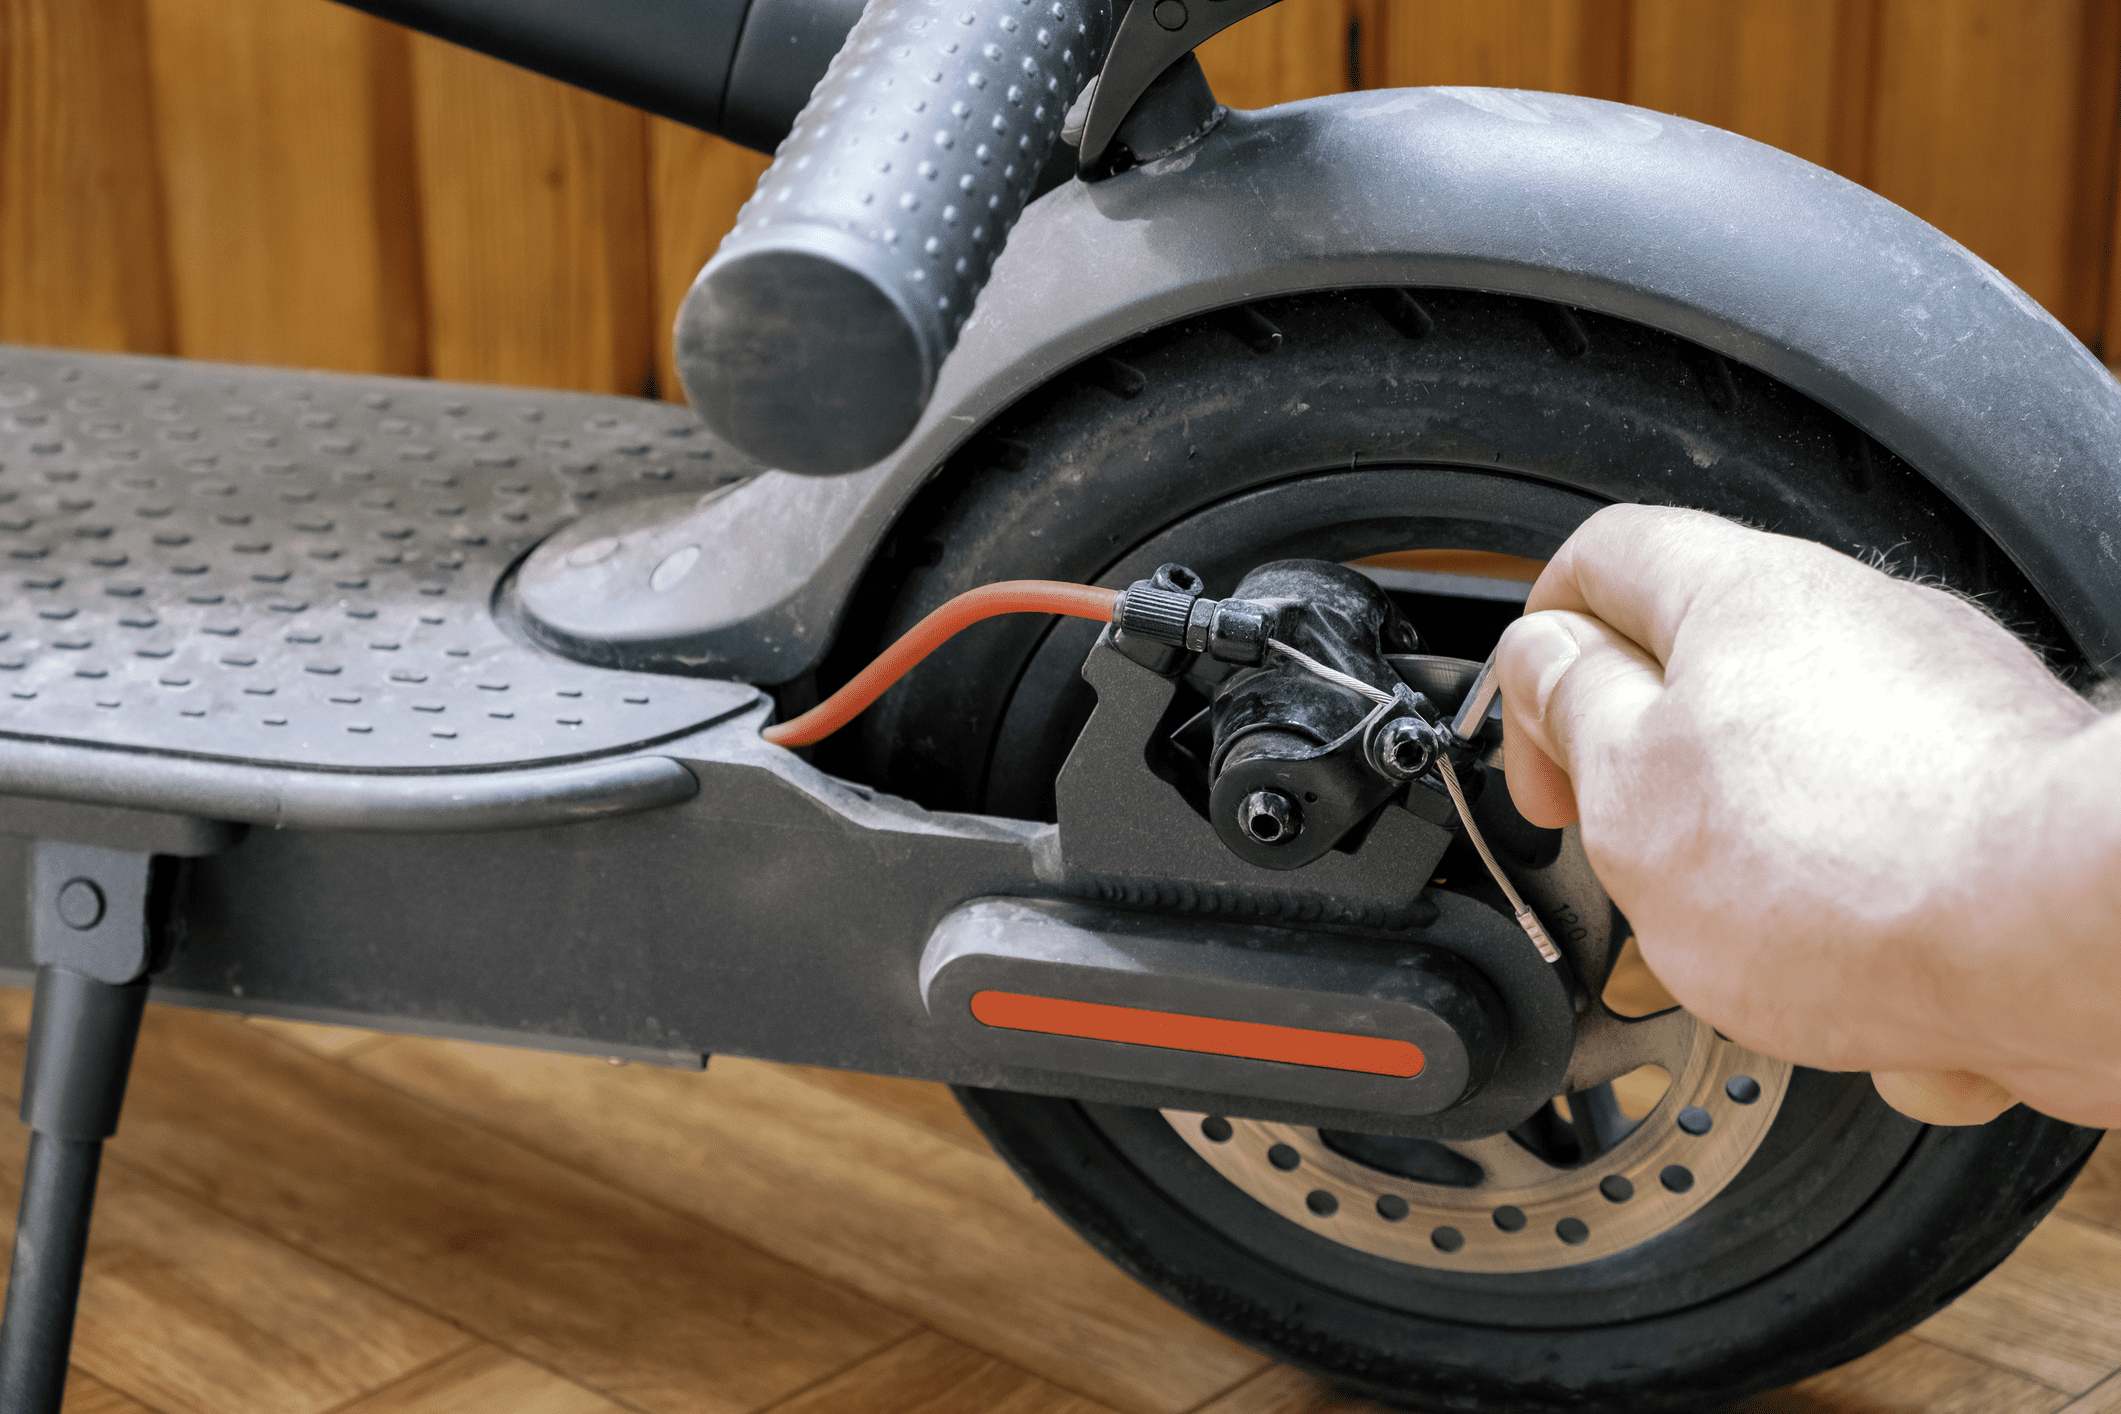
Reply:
x=816, y=334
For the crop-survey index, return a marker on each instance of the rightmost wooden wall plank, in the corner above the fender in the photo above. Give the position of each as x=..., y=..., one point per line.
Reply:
x=1995, y=122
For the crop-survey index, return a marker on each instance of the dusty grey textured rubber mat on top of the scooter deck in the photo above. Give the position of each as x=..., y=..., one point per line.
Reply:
x=300, y=569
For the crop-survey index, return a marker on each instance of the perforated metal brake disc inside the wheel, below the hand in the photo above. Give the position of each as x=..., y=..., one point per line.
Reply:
x=1524, y=1214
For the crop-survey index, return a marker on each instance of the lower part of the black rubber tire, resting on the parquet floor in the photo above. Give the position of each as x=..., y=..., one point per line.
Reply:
x=1955, y=1209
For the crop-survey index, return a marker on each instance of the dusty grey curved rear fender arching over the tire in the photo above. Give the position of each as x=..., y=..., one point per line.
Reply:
x=1738, y=247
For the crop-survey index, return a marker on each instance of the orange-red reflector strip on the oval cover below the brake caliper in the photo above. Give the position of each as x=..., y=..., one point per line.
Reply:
x=1176, y=1031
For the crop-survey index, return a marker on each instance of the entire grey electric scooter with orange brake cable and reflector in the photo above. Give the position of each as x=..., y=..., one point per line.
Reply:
x=1051, y=662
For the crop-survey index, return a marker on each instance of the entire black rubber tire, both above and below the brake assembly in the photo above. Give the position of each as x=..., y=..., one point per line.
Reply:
x=1359, y=427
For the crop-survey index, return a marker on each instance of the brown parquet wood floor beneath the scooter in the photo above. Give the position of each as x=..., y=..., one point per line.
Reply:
x=304, y=1220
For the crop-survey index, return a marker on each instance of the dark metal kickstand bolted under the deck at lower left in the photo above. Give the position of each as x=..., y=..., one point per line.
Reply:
x=94, y=923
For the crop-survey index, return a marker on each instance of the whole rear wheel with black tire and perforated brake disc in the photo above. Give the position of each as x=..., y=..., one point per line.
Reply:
x=1742, y=1231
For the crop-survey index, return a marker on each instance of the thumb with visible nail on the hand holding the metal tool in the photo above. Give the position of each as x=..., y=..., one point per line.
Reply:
x=1573, y=690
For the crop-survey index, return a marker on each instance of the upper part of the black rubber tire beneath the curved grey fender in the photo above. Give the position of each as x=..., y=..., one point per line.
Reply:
x=1125, y=446
